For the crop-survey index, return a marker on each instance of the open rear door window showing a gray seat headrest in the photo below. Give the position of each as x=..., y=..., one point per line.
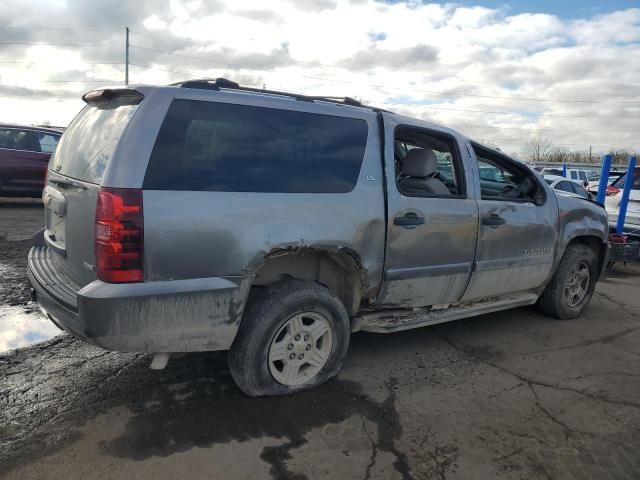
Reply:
x=427, y=164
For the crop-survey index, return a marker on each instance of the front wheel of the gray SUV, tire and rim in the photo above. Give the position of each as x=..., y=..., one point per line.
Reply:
x=572, y=285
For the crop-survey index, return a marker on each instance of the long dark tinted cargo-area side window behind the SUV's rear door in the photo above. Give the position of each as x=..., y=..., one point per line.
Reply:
x=209, y=146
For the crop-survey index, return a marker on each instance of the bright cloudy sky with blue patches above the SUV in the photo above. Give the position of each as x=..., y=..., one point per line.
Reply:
x=501, y=72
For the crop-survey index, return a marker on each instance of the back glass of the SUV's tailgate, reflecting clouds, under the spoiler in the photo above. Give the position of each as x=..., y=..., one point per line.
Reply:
x=87, y=145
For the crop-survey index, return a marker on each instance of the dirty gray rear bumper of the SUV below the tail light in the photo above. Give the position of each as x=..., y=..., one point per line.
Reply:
x=170, y=316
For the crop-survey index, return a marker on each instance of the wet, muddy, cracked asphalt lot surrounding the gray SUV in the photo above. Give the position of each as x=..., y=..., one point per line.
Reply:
x=513, y=395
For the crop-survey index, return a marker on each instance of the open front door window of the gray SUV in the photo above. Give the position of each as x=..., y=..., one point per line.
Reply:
x=502, y=178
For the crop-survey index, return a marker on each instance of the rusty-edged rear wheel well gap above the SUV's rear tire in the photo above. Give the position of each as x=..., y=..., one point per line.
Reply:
x=337, y=271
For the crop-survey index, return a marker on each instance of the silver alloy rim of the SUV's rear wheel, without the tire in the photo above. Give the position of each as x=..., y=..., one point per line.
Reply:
x=300, y=348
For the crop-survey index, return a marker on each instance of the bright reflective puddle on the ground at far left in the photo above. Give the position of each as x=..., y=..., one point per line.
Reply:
x=23, y=326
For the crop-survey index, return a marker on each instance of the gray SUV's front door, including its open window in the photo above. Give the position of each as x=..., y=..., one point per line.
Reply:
x=516, y=229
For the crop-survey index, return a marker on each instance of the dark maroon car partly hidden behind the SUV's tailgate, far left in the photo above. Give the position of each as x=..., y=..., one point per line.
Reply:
x=24, y=155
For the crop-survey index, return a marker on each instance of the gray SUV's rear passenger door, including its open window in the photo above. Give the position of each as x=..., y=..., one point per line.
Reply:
x=431, y=229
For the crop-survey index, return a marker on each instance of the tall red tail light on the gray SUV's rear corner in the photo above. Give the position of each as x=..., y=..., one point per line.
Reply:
x=119, y=235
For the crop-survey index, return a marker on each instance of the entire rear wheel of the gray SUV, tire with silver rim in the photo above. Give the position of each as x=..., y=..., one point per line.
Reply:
x=293, y=336
